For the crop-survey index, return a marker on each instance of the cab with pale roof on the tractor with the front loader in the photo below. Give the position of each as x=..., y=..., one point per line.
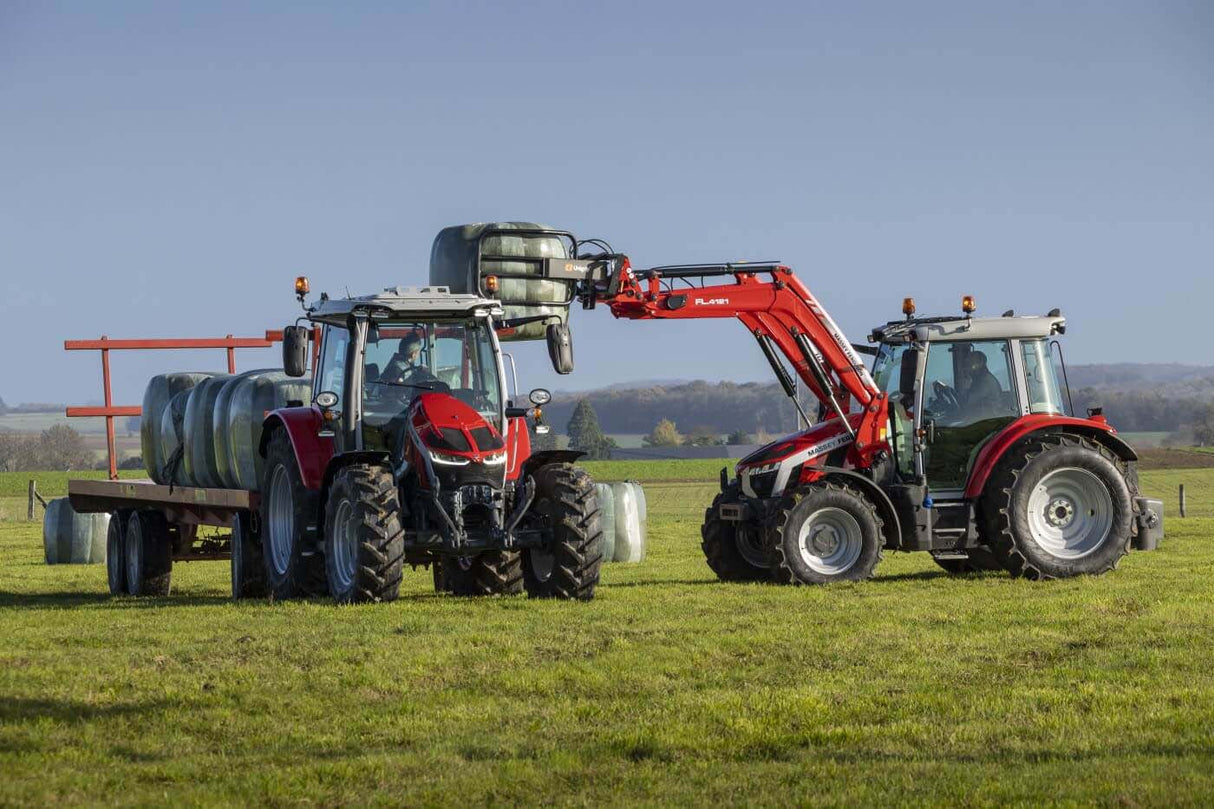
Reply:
x=956, y=383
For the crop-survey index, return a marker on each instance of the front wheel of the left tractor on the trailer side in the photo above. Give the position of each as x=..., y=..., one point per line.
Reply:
x=364, y=540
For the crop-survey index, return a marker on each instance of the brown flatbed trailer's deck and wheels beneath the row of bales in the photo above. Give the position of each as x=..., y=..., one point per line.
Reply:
x=167, y=519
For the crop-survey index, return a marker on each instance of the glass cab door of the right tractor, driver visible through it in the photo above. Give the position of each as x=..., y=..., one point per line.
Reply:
x=969, y=395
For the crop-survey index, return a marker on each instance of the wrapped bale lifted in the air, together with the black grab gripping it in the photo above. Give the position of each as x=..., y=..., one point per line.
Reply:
x=531, y=269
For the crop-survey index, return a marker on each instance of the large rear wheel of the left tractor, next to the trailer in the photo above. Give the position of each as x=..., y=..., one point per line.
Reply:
x=287, y=510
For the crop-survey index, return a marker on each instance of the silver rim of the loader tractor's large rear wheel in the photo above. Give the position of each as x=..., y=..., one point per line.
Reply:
x=1070, y=513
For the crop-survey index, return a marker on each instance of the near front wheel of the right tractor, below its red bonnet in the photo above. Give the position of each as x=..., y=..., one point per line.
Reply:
x=824, y=534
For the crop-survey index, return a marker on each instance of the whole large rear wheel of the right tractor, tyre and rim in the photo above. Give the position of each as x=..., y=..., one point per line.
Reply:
x=1059, y=506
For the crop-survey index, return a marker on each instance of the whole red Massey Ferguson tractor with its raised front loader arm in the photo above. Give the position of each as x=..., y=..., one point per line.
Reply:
x=957, y=443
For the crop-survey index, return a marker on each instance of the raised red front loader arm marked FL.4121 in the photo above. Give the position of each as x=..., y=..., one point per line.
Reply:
x=773, y=303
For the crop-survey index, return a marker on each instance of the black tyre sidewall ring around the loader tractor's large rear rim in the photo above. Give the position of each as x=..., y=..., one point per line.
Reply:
x=1070, y=457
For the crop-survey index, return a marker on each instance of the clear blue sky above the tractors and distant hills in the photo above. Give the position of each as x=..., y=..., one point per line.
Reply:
x=169, y=168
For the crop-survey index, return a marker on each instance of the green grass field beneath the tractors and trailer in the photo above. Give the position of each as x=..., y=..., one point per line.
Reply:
x=670, y=688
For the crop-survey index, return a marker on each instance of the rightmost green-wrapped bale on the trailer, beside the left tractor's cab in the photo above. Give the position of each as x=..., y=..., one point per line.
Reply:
x=252, y=398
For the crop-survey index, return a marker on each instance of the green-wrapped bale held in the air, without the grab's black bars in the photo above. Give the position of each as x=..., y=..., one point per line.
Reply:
x=453, y=263
